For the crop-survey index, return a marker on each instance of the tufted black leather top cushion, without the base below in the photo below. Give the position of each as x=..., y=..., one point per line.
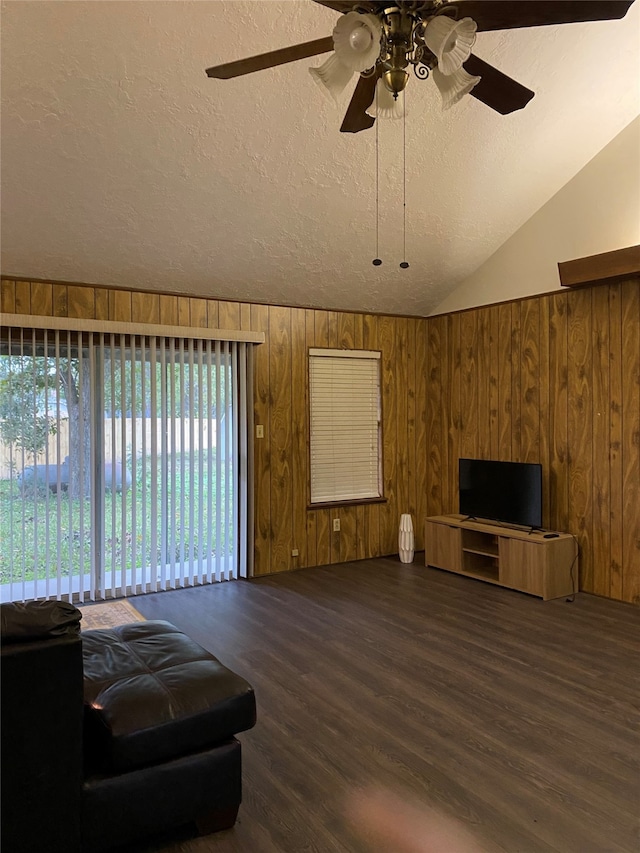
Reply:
x=152, y=694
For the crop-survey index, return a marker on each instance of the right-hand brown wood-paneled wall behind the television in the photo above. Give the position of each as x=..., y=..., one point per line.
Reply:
x=552, y=379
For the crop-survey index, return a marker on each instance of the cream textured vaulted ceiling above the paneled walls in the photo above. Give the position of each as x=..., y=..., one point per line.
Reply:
x=123, y=164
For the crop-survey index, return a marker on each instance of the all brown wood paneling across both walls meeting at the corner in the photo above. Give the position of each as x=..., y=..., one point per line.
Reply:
x=552, y=379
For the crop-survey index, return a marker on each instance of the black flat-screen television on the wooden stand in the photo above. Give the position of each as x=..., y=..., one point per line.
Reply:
x=510, y=492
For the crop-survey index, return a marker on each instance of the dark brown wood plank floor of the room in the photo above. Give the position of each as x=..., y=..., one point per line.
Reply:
x=516, y=716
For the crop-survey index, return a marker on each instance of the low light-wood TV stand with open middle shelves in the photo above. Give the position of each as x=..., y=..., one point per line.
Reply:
x=503, y=555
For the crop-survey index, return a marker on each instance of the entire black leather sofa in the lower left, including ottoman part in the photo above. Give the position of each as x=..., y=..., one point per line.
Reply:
x=111, y=736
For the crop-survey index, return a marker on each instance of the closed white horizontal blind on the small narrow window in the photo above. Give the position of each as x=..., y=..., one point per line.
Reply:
x=345, y=425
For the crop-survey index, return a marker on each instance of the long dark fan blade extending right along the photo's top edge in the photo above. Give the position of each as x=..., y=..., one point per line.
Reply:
x=511, y=14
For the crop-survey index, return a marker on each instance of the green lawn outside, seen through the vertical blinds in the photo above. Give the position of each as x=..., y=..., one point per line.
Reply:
x=32, y=518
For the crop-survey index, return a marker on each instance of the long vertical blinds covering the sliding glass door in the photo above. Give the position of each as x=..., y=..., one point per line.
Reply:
x=126, y=463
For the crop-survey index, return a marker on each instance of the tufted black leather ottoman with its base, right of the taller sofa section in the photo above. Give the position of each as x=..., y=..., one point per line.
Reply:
x=160, y=717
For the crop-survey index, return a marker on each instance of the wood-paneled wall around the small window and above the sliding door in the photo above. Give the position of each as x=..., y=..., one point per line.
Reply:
x=283, y=523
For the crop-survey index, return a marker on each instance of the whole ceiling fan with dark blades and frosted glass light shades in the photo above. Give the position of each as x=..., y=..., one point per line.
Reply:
x=381, y=40
